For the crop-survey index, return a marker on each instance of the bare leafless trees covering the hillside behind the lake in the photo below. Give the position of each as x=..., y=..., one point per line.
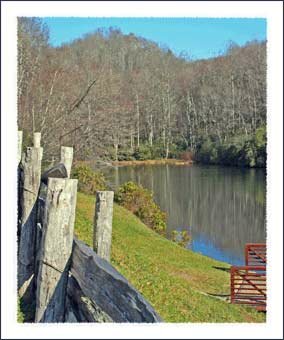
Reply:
x=119, y=96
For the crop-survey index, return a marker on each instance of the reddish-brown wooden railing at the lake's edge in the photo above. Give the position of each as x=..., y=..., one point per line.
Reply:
x=248, y=283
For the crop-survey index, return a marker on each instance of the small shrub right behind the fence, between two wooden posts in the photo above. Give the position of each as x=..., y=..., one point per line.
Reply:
x=89, y=181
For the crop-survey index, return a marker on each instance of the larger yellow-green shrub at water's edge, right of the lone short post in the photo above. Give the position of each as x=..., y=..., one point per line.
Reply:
x=140, y=202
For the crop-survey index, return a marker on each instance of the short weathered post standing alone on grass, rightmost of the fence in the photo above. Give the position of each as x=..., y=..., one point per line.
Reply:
x=103, y=224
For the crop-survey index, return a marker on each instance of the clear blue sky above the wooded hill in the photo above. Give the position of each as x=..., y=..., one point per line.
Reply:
x=199, y=37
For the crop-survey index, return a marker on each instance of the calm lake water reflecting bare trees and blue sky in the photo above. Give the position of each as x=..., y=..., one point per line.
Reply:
x=222, y=208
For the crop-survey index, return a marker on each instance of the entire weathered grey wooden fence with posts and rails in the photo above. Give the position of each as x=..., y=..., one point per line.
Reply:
x=60, y=278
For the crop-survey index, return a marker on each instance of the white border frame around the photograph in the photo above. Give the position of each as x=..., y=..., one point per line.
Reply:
x=272, y=11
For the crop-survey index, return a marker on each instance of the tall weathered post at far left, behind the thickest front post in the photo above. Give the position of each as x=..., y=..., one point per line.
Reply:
x=31, y=172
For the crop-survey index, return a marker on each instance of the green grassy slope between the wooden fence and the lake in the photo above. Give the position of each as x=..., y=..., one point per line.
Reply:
x=173, y=279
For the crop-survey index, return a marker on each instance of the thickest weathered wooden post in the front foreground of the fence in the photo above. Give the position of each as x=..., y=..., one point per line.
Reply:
x=57, y=240
